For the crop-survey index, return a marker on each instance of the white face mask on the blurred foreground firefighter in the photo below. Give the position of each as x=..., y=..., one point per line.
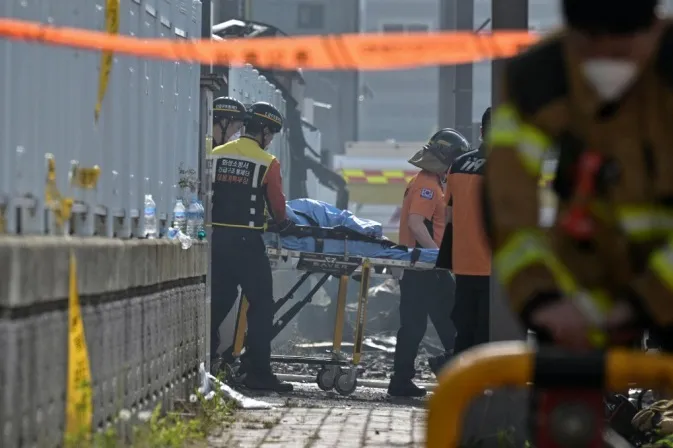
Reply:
x=610, y=77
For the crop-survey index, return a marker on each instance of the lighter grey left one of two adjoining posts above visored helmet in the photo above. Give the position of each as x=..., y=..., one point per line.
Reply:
x=446, y=114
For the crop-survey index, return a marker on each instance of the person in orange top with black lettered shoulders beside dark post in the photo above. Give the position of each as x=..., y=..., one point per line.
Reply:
x=465, y=250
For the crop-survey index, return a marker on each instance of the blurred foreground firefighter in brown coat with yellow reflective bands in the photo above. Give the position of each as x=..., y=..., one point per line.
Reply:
x=601, y=92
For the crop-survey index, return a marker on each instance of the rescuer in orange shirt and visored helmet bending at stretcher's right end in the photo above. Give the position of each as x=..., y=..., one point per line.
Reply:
x=429, y=292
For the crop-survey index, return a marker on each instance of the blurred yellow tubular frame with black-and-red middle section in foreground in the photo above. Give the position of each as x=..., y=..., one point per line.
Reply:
x=568, y=413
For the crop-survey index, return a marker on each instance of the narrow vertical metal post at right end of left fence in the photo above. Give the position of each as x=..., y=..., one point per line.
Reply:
x=210, y=82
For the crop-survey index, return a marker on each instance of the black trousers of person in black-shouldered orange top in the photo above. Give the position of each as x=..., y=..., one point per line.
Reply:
x=471, y=313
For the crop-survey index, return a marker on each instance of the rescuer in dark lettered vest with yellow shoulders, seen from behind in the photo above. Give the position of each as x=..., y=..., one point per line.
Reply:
x=247, y=182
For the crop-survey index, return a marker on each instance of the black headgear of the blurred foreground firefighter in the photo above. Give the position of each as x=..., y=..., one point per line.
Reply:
x=608, y=16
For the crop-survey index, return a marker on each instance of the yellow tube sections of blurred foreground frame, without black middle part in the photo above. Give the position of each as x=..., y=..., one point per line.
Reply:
x=497, y=365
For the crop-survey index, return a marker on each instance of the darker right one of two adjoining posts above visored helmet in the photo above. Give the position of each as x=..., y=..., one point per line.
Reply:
x=463, y=73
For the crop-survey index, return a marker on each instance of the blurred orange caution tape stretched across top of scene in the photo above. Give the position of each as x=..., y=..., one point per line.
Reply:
x=348, y=52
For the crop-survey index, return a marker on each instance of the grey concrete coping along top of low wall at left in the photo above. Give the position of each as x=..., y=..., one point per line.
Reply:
x=35, y=269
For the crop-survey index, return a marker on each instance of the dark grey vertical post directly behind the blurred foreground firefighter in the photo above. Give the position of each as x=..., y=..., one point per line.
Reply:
x=506, y=15
